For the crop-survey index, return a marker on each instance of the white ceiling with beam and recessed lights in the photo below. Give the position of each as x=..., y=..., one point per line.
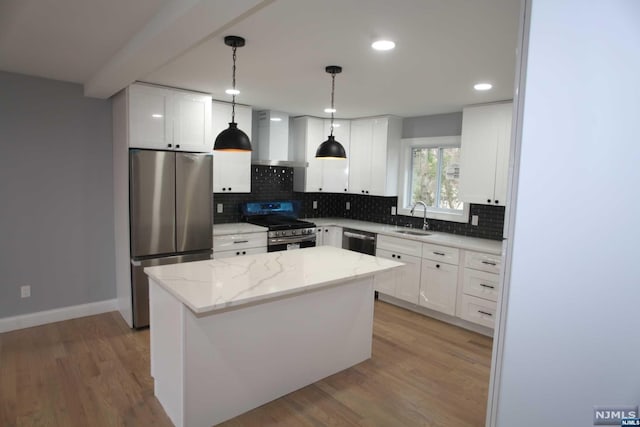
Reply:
x=443, y=48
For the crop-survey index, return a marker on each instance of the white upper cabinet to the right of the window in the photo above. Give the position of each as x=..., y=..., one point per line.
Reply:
x=484, y=155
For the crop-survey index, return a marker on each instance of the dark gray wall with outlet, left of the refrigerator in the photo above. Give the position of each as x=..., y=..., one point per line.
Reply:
x=56, y=195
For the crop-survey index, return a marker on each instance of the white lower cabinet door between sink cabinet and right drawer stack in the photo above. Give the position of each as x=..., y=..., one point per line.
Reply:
x=438, y=286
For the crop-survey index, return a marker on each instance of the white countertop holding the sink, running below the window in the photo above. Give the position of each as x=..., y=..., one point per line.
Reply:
x=438, y=238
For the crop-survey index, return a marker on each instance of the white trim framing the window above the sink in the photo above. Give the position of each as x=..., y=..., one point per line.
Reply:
x=404, y=189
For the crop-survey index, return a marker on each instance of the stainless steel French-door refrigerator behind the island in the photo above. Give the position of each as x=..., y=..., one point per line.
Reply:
x=170, y=214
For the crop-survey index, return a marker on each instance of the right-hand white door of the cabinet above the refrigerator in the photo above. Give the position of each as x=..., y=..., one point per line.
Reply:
x=192, y=122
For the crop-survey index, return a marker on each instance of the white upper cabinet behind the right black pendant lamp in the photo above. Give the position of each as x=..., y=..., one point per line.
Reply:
x=321, y=175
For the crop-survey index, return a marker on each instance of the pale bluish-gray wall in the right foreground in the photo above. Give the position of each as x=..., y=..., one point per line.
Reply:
x=571, y=336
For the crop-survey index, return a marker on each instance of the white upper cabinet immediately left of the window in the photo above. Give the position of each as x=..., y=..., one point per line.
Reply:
x=375, y=153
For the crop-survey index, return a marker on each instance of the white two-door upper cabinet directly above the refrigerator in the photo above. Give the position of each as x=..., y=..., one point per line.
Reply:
x=169, y=119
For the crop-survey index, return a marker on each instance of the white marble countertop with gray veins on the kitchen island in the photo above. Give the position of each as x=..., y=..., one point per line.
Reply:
x=206, y=286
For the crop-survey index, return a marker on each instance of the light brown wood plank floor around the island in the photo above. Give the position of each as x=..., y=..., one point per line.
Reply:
x=94, y=371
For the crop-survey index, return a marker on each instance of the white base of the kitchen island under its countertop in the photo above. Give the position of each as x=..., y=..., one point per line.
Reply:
x=212, y=367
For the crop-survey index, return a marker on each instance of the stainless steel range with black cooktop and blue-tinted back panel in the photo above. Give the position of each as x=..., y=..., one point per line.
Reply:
x=286, y=231
